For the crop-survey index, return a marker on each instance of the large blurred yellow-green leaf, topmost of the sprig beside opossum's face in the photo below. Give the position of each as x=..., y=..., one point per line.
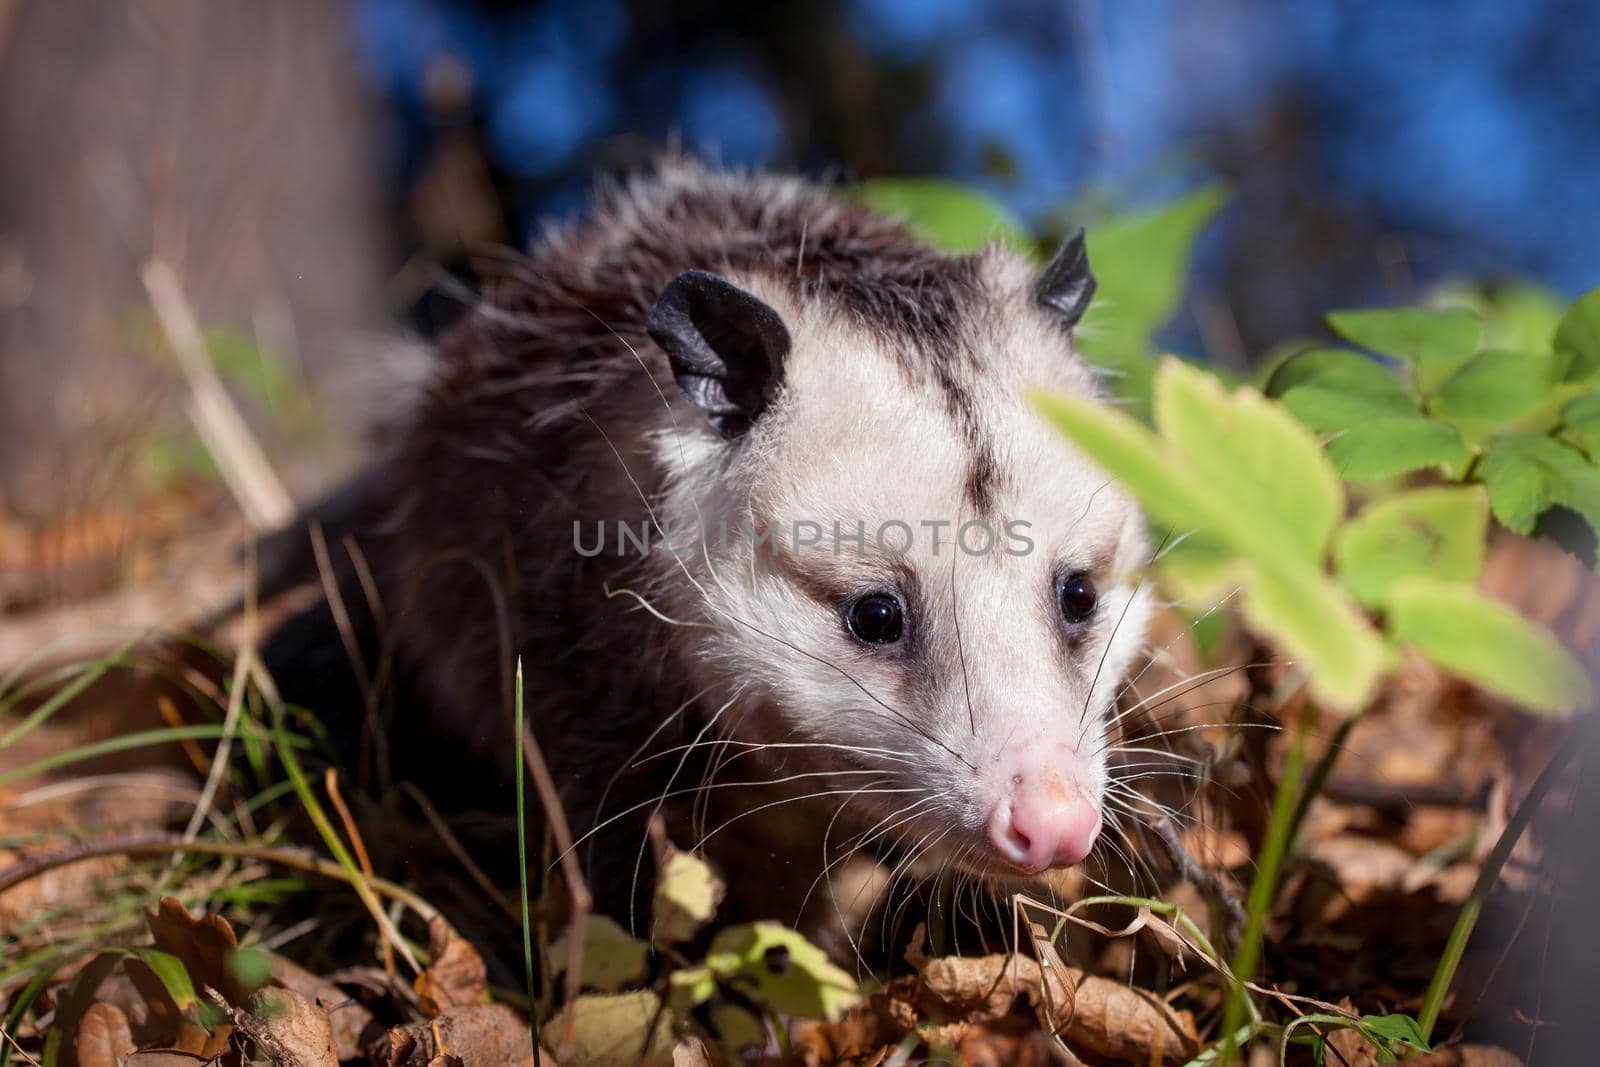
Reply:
x=1254, y=460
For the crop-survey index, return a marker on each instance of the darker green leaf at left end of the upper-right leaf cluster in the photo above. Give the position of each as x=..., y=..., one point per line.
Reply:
x=1337, y=390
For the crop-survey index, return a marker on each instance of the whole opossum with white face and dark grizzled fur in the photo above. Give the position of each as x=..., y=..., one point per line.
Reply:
x=751, y=484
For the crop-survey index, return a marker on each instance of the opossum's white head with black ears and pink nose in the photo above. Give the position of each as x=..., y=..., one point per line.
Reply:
x=916, y=601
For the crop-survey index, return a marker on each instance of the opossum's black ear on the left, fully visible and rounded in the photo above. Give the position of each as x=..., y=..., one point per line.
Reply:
x=727, y=348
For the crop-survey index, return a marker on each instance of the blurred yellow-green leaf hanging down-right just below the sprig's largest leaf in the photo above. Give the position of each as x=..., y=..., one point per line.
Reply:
x=1321, y=628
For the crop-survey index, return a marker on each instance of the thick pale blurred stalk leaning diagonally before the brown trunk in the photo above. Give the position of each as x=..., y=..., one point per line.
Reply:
x=244, y=466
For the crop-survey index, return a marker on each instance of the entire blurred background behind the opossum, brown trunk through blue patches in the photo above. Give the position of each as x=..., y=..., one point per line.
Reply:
x=319, y=174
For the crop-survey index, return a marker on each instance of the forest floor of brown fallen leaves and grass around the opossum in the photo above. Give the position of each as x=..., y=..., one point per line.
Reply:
x=177, y=890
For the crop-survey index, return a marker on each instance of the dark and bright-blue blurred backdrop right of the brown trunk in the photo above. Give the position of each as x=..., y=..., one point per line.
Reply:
x=1374, y=148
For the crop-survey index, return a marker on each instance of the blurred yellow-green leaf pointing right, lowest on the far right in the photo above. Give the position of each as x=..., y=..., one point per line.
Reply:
x=1489, y=644
